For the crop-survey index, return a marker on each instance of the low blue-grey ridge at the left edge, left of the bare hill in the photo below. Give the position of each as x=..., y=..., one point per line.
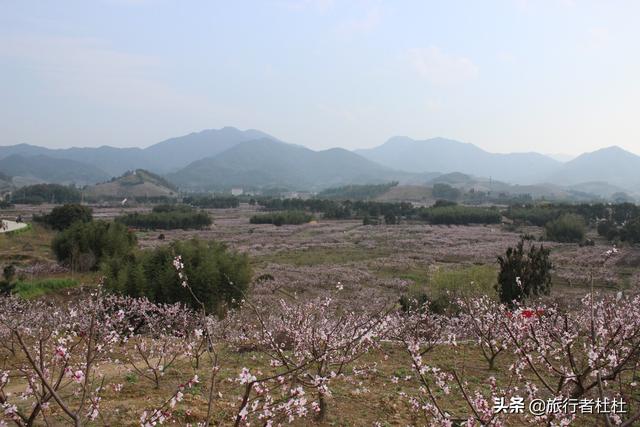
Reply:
x=48, y=169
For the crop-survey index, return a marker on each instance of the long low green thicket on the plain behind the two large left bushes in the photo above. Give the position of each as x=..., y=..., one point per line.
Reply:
x=167, y=217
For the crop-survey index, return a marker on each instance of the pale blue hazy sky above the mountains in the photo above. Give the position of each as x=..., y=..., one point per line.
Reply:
x=552, y=76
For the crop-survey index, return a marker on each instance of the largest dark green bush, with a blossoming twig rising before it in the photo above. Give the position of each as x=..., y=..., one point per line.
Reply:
x=217, y=276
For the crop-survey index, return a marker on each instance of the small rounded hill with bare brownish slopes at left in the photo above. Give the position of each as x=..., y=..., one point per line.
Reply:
x=136, y=184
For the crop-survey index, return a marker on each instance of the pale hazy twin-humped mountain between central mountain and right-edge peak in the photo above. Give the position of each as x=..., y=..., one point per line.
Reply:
x=446, y=155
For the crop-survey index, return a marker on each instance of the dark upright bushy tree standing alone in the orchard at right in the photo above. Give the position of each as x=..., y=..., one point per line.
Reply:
x=524, y=273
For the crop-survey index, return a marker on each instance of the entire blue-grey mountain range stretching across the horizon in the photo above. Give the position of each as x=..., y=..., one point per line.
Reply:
x=218, y=159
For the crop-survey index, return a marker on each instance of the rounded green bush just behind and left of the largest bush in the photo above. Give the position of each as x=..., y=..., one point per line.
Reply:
x=84, y=245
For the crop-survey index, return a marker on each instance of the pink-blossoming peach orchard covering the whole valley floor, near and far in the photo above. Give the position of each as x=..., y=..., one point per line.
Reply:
x=321, y=340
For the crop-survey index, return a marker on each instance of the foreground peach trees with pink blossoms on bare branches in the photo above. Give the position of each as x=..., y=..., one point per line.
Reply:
x=57, y=361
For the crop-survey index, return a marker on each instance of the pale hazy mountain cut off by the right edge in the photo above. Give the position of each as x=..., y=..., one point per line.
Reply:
x=612, y=165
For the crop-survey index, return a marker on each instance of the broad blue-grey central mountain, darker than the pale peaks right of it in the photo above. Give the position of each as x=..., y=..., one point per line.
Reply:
x=268, y=163
